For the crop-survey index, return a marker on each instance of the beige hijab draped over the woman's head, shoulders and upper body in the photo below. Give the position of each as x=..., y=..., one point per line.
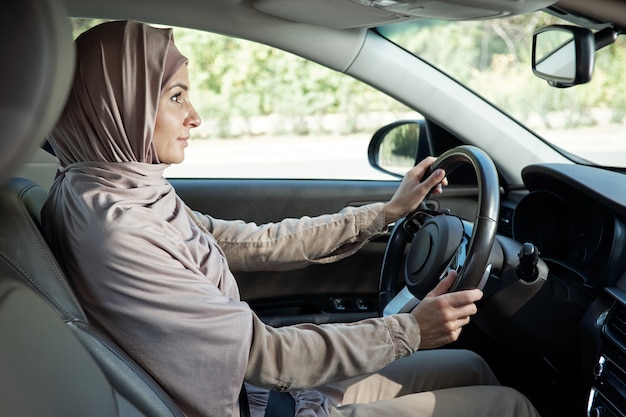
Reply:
x=142, y=268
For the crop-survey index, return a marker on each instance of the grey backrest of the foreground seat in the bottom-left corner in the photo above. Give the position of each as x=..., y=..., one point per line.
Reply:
x=44, y=370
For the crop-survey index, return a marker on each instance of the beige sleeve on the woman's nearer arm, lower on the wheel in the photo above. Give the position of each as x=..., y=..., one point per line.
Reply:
x=307, y=355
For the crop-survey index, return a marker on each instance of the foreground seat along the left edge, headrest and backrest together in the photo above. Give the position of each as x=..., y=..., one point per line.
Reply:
x=44, y=370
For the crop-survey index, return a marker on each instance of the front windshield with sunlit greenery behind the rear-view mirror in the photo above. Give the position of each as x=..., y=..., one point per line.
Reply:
x=492, y=57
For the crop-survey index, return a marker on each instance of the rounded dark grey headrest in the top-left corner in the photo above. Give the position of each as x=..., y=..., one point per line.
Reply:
x=37, y=59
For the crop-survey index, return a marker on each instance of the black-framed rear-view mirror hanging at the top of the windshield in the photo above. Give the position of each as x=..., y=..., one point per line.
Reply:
x=563, y=55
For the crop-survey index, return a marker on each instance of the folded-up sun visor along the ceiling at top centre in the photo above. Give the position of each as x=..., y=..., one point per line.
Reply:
x=345, y=14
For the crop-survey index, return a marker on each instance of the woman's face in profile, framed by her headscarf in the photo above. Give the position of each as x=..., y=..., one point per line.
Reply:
x=175, y=118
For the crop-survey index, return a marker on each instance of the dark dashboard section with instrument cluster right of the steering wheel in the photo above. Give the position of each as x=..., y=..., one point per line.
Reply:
x=575, y=216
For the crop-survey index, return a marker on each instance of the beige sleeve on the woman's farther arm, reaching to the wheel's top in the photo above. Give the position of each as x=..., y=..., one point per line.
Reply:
x=295, y=243
